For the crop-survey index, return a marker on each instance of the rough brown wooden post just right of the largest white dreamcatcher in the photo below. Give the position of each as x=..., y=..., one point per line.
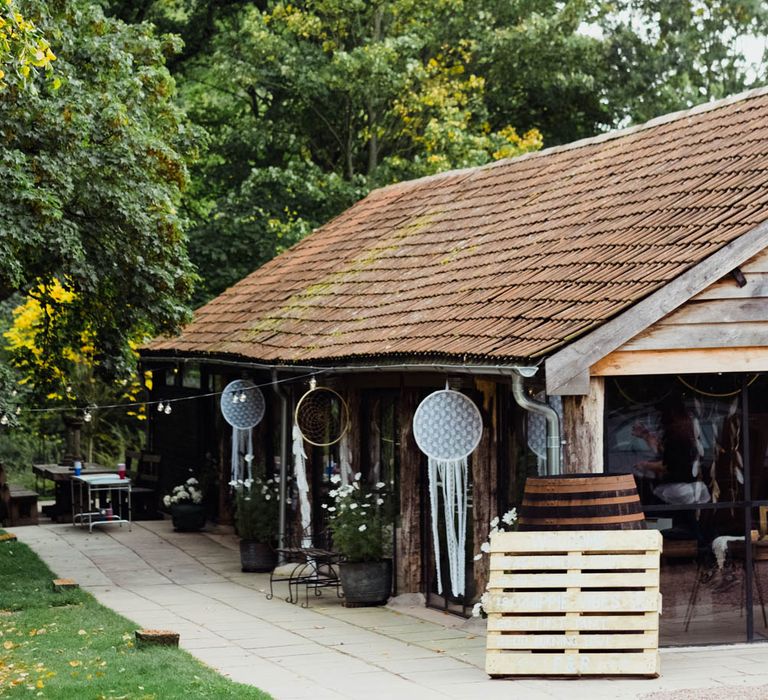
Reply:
x=484, y=481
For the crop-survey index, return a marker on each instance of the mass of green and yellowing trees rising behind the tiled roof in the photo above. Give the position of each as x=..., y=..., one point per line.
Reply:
x=309, y=105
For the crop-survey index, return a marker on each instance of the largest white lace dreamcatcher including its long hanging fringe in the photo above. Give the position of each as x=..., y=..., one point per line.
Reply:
x=447, y=427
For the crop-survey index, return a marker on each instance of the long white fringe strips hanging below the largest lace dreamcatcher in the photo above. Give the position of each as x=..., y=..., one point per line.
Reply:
x=452, y=474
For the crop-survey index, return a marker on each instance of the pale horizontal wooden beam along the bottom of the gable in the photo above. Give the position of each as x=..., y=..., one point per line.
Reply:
x=734, y=359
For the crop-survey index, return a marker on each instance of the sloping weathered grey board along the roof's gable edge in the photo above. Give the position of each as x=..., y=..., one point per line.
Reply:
x=579, y=355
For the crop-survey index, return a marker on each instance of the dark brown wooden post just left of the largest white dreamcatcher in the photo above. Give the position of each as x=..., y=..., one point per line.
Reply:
x=410, y=565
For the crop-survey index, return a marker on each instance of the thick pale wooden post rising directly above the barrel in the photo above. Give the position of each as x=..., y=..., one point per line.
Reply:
x=583, y=430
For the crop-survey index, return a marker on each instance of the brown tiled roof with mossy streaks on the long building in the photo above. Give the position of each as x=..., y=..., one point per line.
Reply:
x=506, y=262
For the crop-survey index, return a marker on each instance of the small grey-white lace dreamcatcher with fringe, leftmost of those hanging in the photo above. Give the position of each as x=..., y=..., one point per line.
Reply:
x=242, y=405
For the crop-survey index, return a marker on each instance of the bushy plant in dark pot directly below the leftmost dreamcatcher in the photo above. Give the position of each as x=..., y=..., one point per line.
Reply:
x=256, y=517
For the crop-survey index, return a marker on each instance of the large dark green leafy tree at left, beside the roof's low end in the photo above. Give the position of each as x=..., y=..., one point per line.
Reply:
x=92, y=167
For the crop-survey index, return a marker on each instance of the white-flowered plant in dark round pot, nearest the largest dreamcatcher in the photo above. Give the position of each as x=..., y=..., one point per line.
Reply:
x=358, y=523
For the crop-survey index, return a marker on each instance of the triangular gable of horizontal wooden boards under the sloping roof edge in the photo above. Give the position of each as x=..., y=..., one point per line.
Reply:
x=723, y=328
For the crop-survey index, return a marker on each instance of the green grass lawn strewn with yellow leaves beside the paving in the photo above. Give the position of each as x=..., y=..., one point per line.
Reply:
x=65, y=645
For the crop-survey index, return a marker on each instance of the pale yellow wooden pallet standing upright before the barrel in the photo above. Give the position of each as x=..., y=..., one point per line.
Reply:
x=574, y=603
